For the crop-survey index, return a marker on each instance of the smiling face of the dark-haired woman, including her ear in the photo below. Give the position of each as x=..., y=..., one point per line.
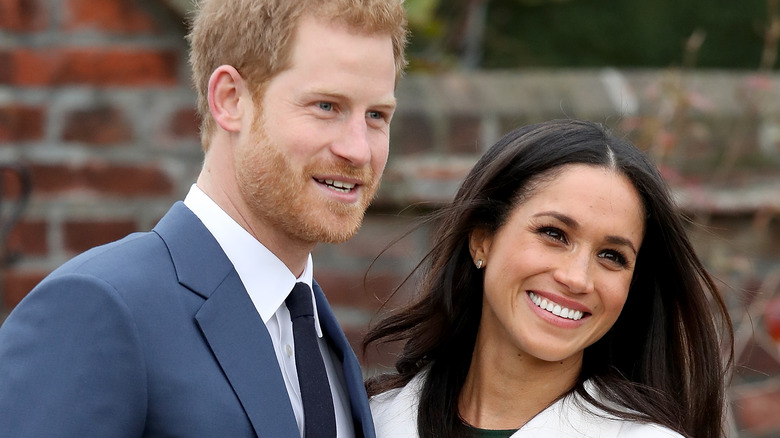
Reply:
x=557, y=273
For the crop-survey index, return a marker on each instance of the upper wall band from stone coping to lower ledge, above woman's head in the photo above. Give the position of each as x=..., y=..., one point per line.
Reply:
x=715, y=133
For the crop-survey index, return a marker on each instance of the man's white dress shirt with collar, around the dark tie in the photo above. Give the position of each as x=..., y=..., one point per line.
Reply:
x=268, y=282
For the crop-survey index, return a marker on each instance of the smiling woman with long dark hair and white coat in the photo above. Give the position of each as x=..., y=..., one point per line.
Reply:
x=561, y=298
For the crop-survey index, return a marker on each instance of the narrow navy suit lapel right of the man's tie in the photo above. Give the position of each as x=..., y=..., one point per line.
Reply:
x=353, y=376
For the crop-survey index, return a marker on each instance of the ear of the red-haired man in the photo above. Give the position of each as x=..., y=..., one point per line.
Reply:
x=226, y=89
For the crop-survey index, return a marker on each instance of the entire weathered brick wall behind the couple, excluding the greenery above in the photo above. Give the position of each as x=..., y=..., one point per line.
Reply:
x=96, y=103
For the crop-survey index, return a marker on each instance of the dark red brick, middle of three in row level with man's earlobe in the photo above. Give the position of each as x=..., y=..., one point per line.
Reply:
x=99, y=126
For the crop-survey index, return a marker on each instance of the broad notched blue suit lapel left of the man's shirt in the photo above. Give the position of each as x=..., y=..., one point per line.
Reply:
x=229, y=322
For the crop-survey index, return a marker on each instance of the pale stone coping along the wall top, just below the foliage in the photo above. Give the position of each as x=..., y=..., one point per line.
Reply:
x=590, y=93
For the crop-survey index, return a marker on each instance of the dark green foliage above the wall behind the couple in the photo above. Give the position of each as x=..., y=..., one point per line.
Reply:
x=592, y=33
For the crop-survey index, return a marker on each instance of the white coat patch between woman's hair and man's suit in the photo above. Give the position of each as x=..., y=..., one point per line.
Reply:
x=395, y=411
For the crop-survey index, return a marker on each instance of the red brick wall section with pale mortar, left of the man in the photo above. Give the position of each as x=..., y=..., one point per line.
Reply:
x=95, y=101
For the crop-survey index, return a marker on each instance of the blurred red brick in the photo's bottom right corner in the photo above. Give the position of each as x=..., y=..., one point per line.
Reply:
x=756, y=411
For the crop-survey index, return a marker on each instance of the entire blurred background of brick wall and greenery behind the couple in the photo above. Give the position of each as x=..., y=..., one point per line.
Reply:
x=98, y=136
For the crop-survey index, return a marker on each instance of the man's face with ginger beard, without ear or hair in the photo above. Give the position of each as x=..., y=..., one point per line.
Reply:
x=319, y=143
